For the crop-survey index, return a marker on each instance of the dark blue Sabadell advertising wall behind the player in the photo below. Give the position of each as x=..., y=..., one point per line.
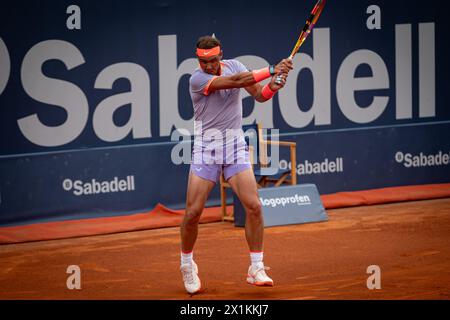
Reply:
x=91, y=93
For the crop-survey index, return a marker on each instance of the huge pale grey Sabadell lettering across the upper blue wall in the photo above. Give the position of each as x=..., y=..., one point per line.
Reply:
x=76, y=101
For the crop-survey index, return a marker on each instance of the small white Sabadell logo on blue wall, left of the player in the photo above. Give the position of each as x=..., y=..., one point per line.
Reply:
x=81, y=188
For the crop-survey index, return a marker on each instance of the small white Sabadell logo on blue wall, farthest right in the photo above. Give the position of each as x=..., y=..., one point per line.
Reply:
x=422, y=160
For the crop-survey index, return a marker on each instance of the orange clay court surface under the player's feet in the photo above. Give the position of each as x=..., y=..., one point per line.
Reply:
x=409, y=241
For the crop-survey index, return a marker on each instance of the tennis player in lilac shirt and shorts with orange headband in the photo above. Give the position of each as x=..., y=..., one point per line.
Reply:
x=215, y=92
